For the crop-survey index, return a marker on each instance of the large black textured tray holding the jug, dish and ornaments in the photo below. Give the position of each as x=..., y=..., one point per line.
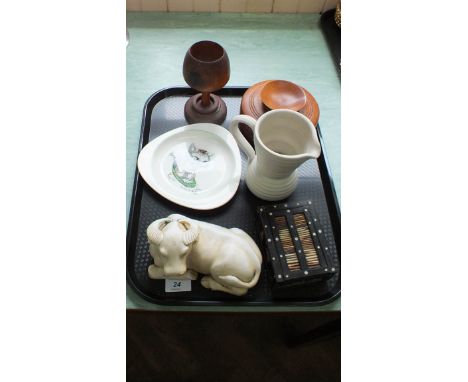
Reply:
x=164, y=111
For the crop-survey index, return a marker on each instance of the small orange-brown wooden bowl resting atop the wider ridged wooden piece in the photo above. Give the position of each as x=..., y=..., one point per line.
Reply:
x=279, y=94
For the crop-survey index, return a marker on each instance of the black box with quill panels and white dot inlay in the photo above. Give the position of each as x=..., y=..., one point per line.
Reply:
x=296, y=248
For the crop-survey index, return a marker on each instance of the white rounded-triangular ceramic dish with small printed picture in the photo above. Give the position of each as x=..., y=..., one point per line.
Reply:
x=196, y=166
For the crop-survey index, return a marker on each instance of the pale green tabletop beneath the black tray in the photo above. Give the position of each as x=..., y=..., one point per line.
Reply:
x=260, y=47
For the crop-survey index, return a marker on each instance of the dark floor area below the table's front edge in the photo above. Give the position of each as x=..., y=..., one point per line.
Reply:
x=228, y=347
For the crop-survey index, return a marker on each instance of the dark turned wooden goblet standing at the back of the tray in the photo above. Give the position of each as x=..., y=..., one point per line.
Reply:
x=206, y=69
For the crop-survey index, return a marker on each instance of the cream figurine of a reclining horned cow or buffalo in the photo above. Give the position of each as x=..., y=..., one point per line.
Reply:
x=182, y=248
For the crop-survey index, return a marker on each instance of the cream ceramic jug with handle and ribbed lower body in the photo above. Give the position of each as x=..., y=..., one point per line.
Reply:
x=284, y=139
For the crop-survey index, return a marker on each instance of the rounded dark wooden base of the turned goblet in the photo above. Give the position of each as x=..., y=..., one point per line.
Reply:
x=195, y=112
